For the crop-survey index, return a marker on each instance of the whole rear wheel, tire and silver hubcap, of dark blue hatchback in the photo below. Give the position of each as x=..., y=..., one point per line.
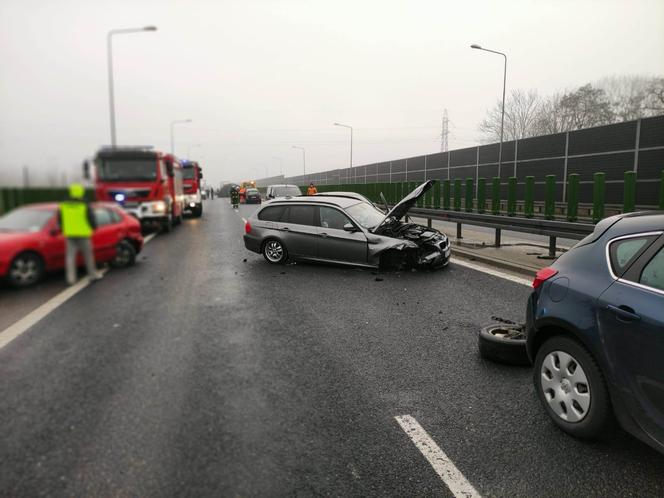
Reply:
x=596, y=415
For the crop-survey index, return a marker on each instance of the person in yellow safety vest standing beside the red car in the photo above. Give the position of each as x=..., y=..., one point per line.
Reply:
x=77, y=222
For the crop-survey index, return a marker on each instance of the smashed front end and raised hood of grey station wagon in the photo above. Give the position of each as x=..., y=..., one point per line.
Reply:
x=403, y=244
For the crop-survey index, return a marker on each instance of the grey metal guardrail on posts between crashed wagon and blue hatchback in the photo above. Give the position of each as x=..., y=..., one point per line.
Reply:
x=551, y=228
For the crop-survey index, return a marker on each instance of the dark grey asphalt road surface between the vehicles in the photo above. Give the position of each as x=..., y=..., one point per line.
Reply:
x=204, y=371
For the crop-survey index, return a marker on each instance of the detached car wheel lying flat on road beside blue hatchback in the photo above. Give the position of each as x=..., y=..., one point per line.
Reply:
x=503, y=343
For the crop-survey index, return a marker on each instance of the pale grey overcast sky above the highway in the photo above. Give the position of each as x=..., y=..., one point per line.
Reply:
x=259, y=76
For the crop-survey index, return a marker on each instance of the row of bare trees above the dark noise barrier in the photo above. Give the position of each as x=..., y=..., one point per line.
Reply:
x=610, y=100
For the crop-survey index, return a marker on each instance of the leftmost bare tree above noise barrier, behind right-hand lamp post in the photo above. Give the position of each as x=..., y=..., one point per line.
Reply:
x=521, y=114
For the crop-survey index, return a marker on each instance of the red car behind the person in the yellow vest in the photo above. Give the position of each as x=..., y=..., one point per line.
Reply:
x=31, y=242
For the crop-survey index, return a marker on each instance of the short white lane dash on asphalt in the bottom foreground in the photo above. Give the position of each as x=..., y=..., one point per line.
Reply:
x=440, y=462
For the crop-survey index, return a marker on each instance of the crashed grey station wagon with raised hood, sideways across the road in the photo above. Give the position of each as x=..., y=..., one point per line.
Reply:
x=345, y=230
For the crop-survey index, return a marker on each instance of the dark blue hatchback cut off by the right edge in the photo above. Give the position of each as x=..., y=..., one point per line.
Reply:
x=595, y=331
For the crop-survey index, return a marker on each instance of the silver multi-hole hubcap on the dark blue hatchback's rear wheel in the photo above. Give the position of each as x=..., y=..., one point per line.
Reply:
x=565, y=386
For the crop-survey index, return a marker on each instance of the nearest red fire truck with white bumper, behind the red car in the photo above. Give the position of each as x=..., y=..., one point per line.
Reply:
x=147, y=184
